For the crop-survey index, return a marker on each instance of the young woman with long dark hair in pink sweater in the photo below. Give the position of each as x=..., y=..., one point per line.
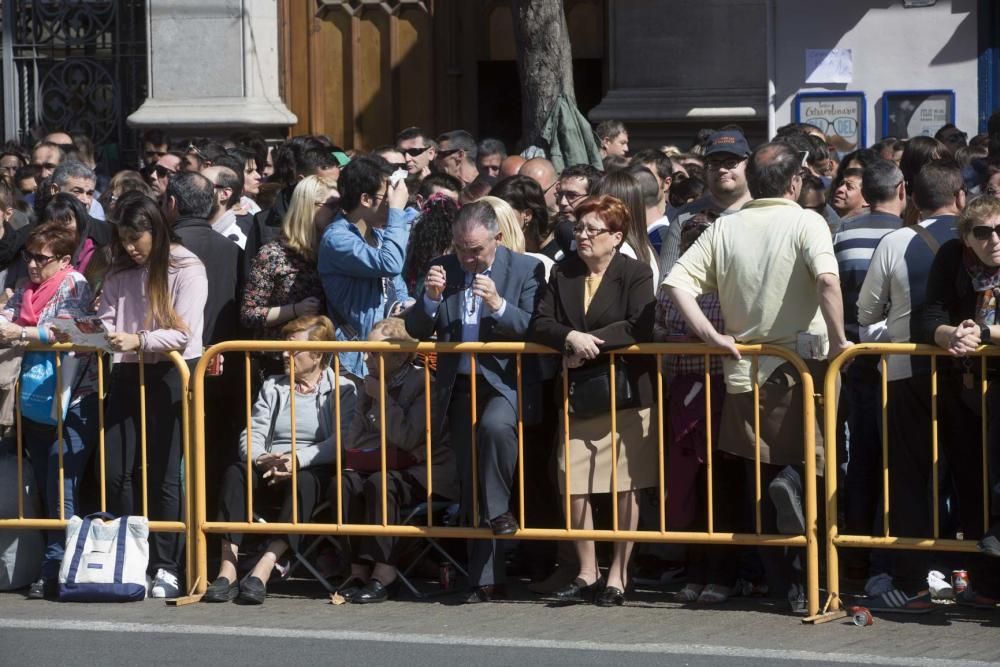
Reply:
x=153, y=303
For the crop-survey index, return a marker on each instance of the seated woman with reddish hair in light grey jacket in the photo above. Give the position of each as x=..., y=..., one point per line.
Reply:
x=270, y=444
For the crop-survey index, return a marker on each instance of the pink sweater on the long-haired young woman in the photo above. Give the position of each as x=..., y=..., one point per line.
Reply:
x=125, y=307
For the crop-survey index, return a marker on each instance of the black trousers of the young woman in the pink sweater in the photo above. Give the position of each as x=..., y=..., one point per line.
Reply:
x=163, y=454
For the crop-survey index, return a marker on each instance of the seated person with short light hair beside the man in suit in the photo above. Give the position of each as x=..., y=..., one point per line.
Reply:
x=373, y=565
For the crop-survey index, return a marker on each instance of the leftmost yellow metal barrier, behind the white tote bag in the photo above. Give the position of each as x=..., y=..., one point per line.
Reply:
x=23, y=523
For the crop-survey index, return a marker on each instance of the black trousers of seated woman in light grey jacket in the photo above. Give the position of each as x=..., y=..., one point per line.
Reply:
x=272, y=503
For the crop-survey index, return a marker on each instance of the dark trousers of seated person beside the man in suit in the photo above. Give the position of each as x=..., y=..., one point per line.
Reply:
x=362, y=504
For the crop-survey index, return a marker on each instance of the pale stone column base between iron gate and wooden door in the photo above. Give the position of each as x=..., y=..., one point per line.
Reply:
x=213, y=67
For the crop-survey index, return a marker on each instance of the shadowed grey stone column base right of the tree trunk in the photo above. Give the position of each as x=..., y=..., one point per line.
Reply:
x=681, y=65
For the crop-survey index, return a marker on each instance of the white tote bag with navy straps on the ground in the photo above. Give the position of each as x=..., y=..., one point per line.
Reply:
x=105, y=559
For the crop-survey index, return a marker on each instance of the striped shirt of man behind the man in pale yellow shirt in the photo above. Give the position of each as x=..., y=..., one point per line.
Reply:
x=854, y=244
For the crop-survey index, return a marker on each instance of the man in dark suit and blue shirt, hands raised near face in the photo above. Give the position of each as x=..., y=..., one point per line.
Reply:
x=483, y=292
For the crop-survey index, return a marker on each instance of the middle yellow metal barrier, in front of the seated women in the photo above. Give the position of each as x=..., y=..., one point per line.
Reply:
x=201, y=526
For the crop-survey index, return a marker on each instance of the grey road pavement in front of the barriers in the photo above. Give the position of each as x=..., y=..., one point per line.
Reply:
x=297, y=626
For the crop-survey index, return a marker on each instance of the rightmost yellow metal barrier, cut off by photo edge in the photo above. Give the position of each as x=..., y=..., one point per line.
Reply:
x=835, y=539
